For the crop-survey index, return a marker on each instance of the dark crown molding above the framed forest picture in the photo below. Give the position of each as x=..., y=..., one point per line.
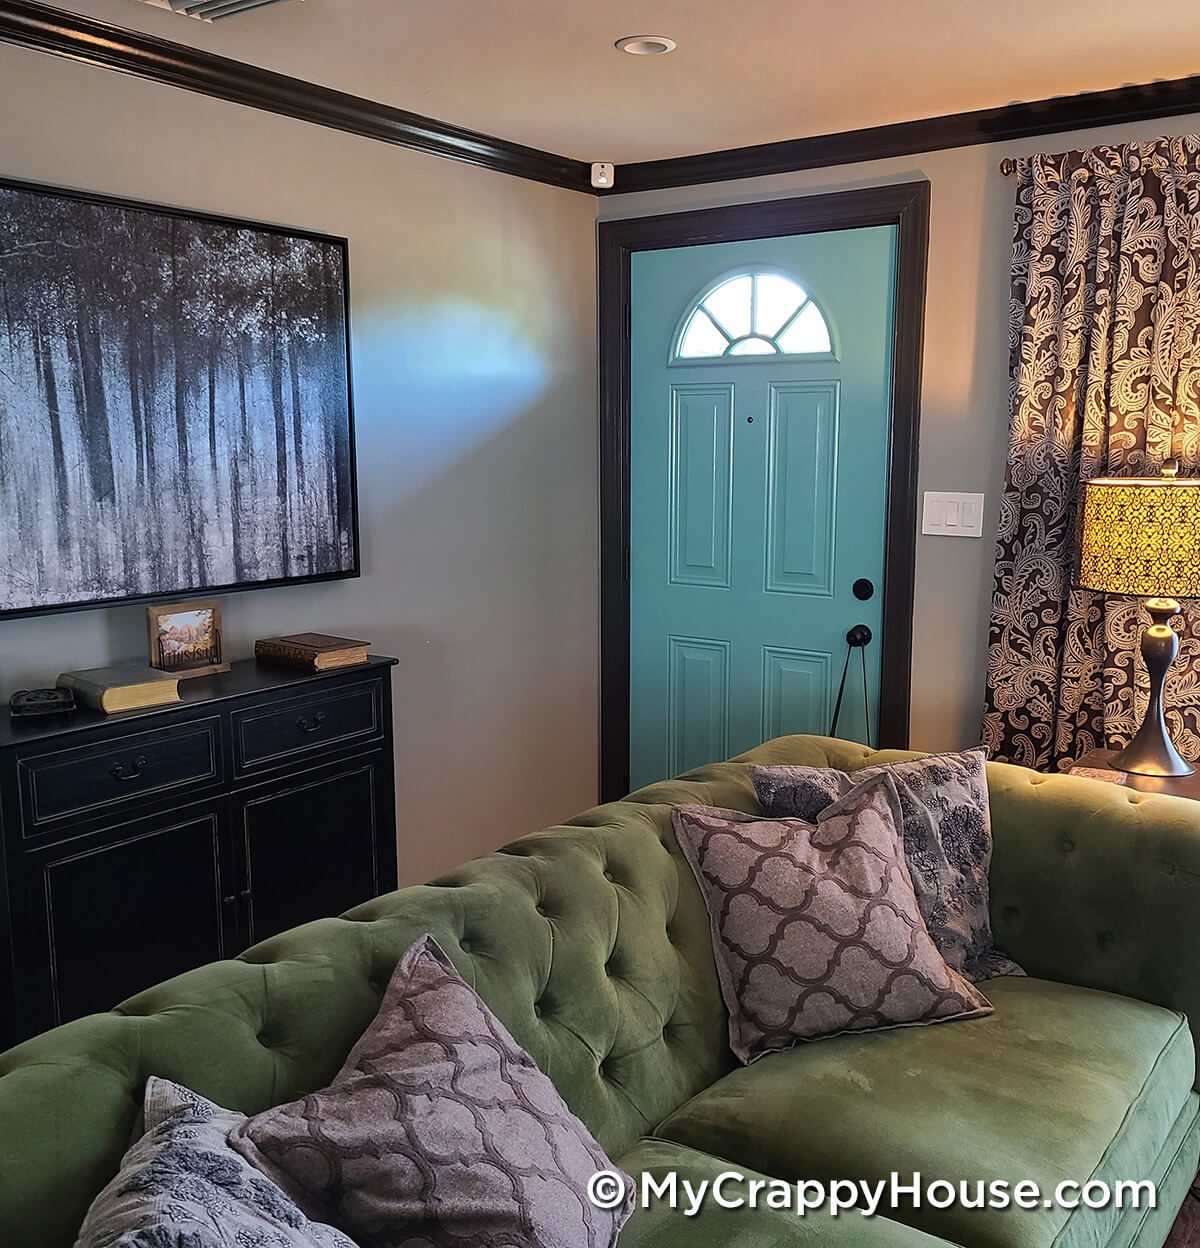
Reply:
x=99, y=43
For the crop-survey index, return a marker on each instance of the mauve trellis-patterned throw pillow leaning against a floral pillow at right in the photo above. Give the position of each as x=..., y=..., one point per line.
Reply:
x=816, y=927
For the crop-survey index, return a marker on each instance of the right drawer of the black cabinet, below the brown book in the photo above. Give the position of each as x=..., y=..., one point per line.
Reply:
x=269, y=736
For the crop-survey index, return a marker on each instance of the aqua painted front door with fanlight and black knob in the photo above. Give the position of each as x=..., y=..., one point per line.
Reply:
x=760, y=427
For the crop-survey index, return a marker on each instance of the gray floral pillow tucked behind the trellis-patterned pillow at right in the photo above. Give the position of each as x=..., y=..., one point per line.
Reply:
x=947, y=842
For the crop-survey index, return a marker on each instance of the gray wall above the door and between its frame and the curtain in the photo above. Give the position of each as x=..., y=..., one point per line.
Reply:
x=965, y=415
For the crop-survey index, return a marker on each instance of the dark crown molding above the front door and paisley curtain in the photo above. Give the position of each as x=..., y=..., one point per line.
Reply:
x=1118, y=107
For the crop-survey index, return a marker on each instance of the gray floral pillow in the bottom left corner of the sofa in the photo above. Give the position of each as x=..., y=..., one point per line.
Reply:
x=181, y=1186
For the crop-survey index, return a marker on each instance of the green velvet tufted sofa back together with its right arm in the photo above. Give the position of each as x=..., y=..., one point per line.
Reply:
x=592, y=944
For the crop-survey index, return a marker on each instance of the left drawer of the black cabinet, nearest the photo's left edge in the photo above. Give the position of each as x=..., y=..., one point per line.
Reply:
x=93, y=778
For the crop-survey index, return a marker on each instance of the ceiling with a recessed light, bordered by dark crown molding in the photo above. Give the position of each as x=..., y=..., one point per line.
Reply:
x=546, y=73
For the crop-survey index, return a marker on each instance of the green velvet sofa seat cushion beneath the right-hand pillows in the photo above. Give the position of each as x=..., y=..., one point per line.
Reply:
x=1058, y=1084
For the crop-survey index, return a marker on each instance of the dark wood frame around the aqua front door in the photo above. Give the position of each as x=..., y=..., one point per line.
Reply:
x=906, y=207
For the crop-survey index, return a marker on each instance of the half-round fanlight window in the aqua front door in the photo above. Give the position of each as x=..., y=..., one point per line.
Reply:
x=755, y=315
